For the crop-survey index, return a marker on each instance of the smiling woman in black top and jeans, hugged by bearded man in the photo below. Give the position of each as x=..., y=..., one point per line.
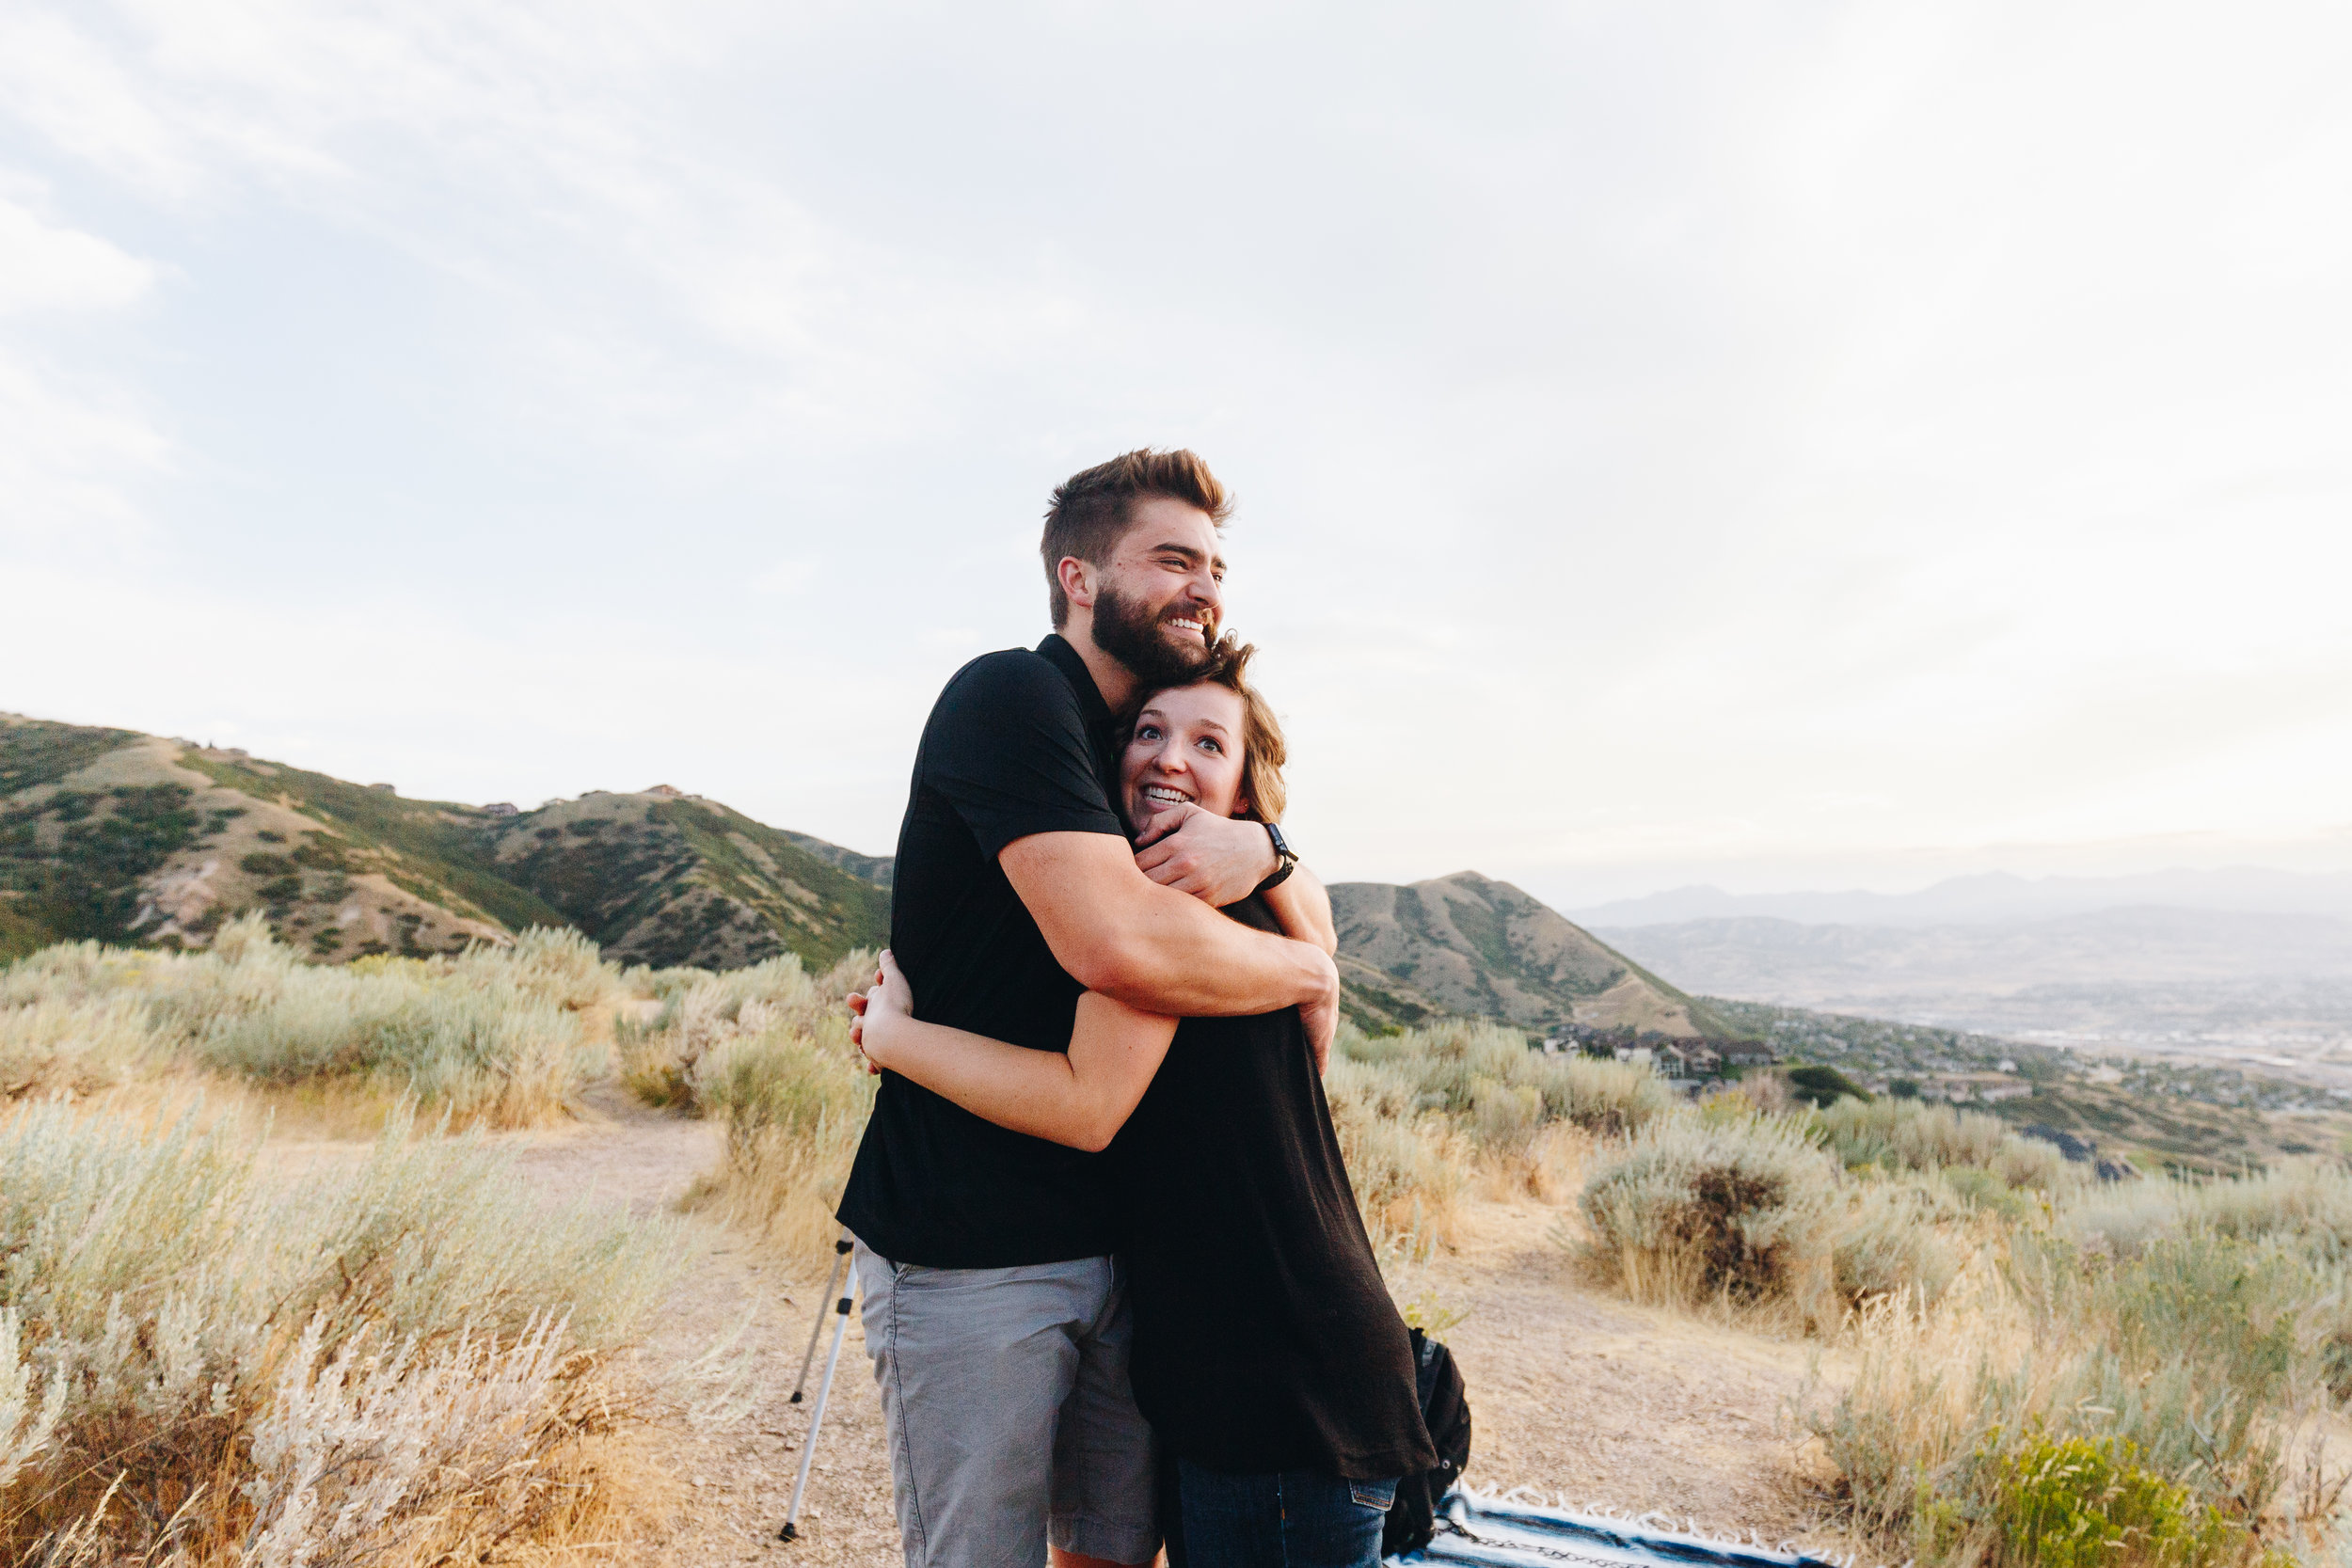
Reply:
x=1267, y=1351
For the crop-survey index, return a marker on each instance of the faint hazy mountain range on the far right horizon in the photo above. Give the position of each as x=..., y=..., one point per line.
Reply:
x=1998, y=897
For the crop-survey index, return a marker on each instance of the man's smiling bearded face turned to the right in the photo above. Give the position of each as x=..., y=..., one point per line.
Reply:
x=1161, y=594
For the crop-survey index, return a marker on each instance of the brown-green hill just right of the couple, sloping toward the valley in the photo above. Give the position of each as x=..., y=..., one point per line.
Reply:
x=1483, y=949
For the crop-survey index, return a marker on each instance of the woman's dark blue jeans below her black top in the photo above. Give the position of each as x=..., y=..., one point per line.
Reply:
x=1276, y=1520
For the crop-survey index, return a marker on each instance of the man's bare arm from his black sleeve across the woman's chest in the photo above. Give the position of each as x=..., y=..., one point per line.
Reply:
x=1156, y=949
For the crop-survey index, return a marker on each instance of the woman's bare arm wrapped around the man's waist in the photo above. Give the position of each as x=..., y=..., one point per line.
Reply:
x=1081, y=1099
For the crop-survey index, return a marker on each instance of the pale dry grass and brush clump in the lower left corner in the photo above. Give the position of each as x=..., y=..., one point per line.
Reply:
x=206, y=1365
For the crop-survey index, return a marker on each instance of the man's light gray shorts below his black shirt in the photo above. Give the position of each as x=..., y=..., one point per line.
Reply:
x=1008, y=1412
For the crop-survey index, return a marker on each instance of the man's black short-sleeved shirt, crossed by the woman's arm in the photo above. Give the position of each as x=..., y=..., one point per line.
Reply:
x=1017, y=744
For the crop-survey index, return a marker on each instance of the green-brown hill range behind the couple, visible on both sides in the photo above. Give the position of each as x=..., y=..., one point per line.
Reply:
x=128, y=838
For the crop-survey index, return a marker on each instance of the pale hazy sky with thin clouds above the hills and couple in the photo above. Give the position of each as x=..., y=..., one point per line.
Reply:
x=1786, y=445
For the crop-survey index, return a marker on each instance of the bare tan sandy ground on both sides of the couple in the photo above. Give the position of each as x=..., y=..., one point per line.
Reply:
x=1575, y=1395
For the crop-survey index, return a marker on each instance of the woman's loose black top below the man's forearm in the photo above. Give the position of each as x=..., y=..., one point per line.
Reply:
x=1264, y=1334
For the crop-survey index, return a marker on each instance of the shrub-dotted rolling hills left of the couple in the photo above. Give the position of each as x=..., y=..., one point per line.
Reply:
x=126, y=838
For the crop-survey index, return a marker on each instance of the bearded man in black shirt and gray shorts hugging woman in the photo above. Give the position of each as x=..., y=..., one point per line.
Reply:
x=994, y=1308
